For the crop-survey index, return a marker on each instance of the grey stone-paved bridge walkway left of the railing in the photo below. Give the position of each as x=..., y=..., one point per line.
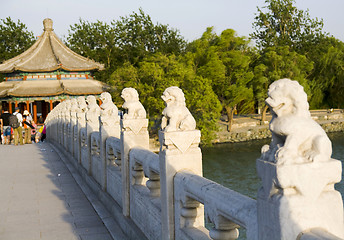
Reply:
x=41, y=200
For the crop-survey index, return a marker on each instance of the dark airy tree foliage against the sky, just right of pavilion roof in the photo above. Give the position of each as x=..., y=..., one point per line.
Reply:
x=130, y=39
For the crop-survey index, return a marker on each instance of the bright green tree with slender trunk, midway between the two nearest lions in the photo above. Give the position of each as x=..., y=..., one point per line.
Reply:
x=225, y=60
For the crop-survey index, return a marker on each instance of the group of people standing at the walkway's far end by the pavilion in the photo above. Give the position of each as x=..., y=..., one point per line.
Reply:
x=20, y=128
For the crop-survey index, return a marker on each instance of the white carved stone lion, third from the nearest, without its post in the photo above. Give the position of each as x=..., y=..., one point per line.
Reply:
x=132, y=104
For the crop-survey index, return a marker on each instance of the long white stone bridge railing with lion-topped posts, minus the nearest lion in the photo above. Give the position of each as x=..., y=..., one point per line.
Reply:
x=164, y=196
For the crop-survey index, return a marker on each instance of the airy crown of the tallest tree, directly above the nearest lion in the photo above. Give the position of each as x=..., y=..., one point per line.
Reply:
x=284, y=25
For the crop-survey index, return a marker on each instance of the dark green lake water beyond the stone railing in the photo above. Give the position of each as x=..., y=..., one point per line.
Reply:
x=234, y=164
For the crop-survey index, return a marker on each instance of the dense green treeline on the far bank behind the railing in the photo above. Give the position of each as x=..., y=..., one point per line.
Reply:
x=222, y=73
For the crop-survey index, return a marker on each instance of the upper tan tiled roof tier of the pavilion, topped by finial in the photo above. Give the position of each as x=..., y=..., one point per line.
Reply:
x=48, y=54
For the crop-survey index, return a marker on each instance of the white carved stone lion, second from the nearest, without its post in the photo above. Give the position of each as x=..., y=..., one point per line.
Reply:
x=176, y=116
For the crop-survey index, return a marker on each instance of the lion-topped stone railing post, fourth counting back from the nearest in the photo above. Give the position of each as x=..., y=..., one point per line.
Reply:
x=109, y=127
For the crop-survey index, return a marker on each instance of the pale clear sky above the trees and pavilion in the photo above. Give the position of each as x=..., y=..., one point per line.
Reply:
x=190, y=17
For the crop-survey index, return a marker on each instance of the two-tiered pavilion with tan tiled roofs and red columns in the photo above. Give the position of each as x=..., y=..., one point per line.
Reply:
x=46, y=74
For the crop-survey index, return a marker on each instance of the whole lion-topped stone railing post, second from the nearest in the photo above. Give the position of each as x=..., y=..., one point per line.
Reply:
x=179, y=150
